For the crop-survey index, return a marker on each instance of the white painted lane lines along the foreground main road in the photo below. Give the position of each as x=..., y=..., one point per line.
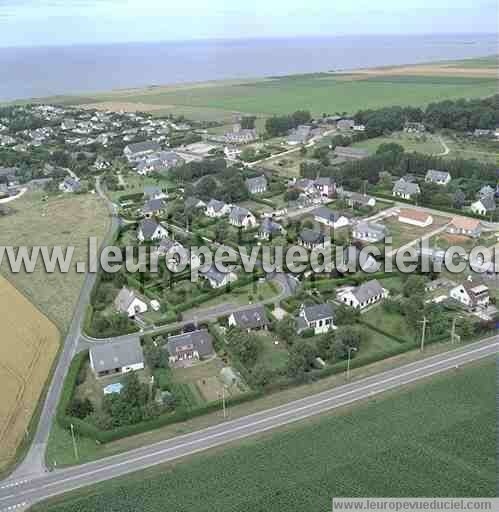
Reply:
x=293, y=413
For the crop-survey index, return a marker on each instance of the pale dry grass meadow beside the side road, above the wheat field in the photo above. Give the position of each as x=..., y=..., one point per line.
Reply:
x=64, y=220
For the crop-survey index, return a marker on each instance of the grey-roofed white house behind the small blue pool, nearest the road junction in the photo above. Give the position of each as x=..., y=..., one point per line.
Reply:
x=117, y=357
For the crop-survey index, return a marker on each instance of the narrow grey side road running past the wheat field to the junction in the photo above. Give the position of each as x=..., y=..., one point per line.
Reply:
x=34, y=460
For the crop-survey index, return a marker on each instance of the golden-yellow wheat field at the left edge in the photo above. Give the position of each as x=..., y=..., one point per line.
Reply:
x=28, y=346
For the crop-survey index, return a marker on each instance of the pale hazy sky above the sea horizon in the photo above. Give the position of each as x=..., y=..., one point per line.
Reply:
x=62, y=22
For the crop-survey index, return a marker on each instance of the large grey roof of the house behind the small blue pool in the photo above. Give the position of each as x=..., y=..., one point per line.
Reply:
x=116, y=354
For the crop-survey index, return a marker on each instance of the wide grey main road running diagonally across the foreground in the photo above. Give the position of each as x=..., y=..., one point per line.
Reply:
x=28, y=492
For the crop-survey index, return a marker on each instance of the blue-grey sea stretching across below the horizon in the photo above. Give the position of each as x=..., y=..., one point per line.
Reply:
x=31, y=72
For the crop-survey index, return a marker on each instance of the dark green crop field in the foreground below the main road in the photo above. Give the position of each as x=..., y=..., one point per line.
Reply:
x=436, y=438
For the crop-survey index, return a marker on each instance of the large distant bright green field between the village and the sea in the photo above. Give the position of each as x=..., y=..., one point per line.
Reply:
x=317, y=92
